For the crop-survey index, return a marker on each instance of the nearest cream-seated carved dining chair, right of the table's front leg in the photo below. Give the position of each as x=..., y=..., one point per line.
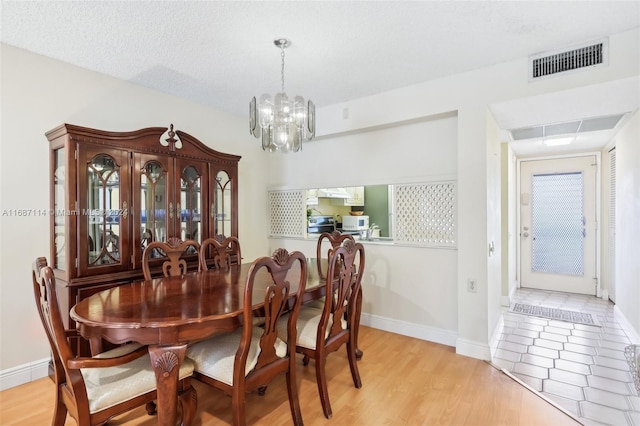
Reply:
x=251, y=356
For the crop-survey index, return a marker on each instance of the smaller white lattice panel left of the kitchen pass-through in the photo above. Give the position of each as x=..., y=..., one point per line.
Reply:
x=287, y=213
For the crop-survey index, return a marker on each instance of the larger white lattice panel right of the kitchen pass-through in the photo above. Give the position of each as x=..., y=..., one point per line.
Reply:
x=425, y=214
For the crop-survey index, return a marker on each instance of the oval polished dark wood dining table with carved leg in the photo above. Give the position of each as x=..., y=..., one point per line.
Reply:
x=168, y=313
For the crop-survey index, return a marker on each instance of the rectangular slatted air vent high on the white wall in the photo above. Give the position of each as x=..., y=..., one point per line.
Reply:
x=550, y=63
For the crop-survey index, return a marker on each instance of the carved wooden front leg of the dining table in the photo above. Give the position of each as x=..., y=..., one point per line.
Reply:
x=166, y=362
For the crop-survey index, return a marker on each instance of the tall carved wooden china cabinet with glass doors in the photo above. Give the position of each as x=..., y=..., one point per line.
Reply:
x=114, y=192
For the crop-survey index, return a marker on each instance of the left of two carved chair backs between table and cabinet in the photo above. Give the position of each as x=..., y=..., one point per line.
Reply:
x=172, y=251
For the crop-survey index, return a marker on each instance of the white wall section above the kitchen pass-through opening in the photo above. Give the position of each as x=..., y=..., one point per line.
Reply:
x=398, y=154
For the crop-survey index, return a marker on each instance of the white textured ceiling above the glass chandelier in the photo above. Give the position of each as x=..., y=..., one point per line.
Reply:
x=221, y=53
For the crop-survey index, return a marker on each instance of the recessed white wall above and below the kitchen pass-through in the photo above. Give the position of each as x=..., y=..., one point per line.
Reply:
x=398, y=296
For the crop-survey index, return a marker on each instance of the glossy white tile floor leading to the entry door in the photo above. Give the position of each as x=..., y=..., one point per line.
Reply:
x=582, y=368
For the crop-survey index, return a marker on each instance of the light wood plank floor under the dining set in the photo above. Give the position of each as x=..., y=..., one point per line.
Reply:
x=405, y=381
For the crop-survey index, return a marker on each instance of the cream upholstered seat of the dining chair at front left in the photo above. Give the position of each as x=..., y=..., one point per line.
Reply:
x=110, y=386
